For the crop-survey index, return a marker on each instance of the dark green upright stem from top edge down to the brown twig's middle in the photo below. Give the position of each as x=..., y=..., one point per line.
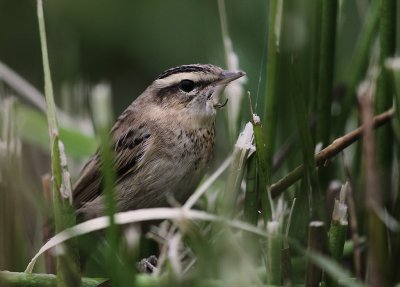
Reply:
x=326, y=70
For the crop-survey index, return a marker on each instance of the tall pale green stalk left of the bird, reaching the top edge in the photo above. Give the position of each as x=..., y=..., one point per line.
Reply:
x=68, y=270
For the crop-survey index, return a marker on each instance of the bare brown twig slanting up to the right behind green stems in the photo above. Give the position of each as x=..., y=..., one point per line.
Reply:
x=330, y=151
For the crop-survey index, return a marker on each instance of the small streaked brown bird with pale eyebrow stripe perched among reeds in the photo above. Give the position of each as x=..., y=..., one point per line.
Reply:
x=162, y=143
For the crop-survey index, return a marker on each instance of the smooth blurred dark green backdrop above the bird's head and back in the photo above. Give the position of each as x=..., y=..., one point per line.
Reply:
x=127, y=43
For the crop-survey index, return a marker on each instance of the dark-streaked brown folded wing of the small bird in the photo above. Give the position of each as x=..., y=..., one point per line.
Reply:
x=130, y=146
